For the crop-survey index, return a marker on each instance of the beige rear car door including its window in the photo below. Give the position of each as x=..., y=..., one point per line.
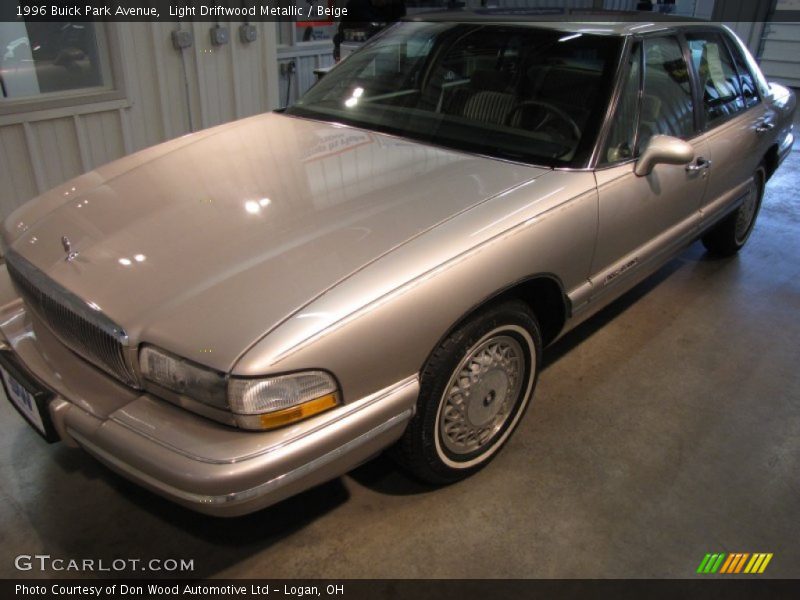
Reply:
x=734, y=120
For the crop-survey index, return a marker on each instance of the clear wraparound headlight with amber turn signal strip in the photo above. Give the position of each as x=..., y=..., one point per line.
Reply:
x=251, y=403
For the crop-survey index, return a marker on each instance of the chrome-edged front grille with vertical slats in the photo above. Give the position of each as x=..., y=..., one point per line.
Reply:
x=86, y=331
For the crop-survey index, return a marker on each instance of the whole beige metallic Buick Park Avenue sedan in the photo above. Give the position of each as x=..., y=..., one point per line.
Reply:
x=240, y=314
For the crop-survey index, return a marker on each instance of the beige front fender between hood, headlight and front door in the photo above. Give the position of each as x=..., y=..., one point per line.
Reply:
x=379, y=325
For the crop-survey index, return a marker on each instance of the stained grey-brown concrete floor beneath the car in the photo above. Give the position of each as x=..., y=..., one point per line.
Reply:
x=666, y=427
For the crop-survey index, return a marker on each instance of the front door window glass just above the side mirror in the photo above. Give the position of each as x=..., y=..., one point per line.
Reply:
x=667, y=106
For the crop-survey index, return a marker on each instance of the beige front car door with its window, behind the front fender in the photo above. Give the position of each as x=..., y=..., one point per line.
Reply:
x=642, y=219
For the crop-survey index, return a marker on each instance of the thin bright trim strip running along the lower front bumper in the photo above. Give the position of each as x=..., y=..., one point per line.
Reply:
x=248, y=494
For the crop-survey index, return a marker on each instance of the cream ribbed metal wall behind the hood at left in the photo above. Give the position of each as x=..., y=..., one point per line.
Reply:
x=39, y=150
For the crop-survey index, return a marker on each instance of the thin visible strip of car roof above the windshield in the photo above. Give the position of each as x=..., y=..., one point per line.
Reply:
x=566, y=19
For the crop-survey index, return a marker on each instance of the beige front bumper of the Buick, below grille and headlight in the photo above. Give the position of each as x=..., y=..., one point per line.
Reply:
x=191, y=460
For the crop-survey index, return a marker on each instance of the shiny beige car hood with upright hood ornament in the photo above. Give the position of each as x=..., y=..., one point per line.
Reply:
x=204, y=244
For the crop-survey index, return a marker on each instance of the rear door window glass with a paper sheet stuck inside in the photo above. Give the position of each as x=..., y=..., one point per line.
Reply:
x=719, y=81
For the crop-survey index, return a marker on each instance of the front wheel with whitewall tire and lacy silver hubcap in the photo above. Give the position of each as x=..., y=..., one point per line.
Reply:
x=473, y=391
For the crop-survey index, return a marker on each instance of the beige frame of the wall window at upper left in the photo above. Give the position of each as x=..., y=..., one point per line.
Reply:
x=115, y=90
